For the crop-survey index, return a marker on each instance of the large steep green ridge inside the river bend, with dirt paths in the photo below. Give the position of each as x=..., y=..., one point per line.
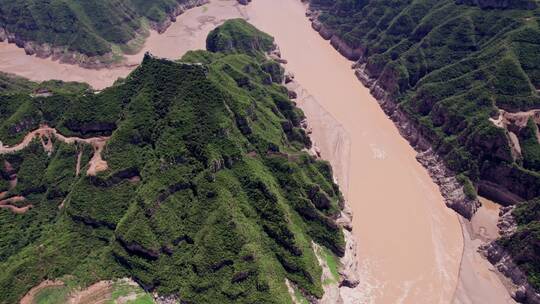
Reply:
x=209, y=195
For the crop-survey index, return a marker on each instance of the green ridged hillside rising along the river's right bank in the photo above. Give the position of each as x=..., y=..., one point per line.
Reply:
x=451, y=65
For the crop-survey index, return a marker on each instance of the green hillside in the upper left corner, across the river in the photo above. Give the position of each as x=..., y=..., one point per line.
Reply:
x=87, y=27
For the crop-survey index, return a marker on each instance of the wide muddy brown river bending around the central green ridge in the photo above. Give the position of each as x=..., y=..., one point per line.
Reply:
x=410, y=246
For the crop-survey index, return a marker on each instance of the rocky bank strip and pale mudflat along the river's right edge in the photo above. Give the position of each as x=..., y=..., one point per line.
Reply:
x=478, y=280
